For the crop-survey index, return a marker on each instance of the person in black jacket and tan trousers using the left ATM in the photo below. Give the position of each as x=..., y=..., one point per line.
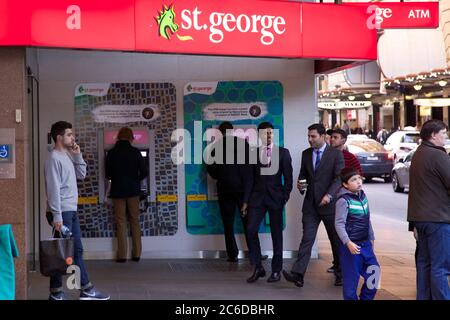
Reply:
x=125, y=167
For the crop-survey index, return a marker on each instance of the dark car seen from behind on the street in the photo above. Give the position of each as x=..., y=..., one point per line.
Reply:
x=375, y=160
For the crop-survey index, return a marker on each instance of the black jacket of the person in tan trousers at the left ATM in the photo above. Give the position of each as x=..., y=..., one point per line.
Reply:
x=125, y=167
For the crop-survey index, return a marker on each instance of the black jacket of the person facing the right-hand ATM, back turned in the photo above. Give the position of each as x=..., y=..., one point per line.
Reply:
x=231, y=177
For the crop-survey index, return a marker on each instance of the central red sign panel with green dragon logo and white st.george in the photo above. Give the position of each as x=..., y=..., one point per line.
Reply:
x=245, y=28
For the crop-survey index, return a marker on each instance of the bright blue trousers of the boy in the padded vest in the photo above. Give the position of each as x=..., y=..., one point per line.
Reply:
x=355, y=266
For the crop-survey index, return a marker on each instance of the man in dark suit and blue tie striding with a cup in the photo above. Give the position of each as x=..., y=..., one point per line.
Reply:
x=320, y=167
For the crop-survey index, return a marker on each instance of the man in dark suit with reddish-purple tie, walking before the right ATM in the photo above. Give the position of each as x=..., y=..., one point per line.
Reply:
x=268, y=193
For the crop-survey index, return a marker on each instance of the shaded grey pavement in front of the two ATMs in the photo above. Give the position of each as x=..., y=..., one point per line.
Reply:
x=199, y=280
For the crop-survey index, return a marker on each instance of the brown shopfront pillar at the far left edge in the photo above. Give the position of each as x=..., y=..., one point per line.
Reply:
x=13, y=117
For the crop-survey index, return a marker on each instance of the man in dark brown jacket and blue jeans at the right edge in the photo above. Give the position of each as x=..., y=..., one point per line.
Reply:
x=429, y=211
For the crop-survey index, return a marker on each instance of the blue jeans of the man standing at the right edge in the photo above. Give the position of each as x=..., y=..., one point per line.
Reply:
x=433, y=261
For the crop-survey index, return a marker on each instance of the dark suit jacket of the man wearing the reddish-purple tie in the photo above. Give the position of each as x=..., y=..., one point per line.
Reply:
x=270, y=190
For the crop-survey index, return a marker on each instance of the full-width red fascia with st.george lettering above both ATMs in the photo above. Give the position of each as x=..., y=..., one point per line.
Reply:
x=228, y=27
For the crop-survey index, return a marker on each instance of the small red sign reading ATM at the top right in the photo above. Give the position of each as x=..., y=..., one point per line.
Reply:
x=399, y=15
